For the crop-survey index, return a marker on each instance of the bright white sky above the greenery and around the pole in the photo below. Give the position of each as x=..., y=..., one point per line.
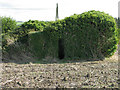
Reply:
x=23, y=10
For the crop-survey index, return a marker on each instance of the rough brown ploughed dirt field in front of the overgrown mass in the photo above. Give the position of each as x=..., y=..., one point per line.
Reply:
x=89, y=74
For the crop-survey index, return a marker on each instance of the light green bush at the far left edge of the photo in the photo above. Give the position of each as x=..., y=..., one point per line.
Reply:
x=8, y=27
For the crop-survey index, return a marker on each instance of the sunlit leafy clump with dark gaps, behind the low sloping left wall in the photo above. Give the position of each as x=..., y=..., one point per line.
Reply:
x=31, y=25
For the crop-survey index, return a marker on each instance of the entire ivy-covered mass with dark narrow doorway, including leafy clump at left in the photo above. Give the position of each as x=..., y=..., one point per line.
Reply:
x=90, y=35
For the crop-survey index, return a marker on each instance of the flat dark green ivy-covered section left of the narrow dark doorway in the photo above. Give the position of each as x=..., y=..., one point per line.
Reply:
x=43, y=44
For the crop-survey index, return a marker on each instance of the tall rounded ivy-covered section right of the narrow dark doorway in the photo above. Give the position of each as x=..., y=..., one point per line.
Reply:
x=93, y=35
